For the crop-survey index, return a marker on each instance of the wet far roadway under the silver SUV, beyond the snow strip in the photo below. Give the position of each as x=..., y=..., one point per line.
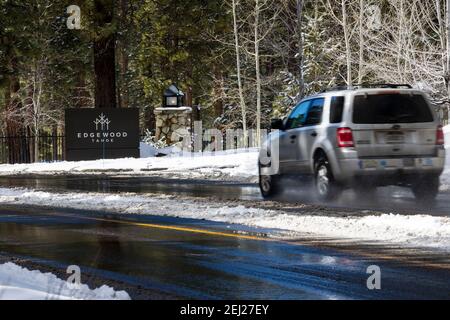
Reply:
x=389, y=199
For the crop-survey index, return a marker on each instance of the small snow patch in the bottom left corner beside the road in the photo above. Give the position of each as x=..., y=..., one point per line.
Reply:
x=17, y=283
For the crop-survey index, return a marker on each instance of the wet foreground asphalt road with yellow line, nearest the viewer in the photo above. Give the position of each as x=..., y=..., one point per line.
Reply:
x=184, y=258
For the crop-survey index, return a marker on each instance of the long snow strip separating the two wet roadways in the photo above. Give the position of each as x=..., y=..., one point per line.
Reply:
x=414, y=230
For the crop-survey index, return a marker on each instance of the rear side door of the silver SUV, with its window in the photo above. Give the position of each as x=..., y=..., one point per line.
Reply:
x=309, y=133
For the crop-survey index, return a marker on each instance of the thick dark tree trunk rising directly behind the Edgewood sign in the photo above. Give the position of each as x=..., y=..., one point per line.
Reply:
x=104, y=57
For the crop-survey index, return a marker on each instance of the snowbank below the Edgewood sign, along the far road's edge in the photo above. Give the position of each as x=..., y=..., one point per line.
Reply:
x=237, y=164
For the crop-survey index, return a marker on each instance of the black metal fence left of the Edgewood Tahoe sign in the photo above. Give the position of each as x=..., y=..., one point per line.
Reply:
x=27, y=149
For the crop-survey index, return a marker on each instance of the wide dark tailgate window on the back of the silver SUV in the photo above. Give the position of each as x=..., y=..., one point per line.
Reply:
x=391, y=108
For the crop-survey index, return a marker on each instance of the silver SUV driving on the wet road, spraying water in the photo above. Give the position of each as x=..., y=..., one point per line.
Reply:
x=360, y=137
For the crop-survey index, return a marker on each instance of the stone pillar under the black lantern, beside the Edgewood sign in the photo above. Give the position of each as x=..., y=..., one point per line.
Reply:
x=168, y=120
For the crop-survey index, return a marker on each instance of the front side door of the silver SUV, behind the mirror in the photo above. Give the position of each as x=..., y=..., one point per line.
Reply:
x=289, y=138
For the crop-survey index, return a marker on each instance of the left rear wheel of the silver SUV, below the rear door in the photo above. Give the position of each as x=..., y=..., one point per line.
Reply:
x=326, y=186
